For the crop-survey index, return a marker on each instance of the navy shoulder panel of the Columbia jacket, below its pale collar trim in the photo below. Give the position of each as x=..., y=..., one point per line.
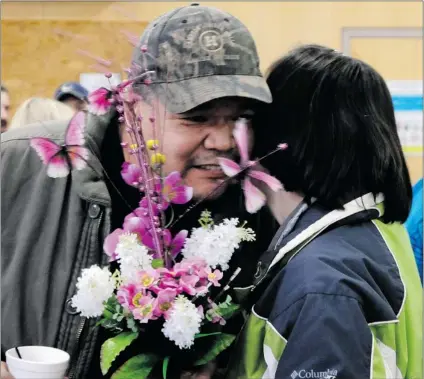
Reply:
x=351, y=261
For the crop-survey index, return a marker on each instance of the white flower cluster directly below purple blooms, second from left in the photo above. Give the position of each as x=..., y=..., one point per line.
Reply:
x=132, y=257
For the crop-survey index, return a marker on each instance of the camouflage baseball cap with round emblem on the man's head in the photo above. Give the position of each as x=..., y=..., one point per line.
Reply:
x=198, y=54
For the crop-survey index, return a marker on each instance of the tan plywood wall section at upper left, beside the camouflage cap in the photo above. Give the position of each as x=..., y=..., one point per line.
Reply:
x=36, y=60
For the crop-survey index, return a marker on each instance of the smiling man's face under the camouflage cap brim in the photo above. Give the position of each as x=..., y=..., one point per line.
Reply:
x=192, y=141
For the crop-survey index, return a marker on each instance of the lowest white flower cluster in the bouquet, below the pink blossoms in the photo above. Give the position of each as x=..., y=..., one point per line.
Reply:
x=183, y=323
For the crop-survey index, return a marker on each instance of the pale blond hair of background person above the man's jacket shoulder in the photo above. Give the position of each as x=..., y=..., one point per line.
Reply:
x=37, y=109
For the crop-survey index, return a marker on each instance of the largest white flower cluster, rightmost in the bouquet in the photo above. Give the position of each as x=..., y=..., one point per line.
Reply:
x=217, y=244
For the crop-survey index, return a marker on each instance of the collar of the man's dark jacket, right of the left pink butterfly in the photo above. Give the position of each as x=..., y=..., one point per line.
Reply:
x=90, y=181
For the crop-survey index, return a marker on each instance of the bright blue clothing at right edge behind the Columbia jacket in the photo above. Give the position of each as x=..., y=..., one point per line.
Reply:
x=414, y=225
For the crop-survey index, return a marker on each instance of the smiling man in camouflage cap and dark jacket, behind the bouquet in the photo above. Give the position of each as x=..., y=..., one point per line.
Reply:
x=206, y=77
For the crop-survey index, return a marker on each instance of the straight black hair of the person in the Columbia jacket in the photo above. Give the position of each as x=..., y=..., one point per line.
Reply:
x=336, y=114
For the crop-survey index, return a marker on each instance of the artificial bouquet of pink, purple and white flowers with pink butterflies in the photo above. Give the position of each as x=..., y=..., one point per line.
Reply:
x=164, y=285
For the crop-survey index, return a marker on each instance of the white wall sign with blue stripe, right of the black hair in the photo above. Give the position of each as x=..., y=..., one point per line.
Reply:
x=407, y=98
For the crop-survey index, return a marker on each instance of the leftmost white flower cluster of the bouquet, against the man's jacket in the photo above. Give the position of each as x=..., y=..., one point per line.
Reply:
x=95, y=286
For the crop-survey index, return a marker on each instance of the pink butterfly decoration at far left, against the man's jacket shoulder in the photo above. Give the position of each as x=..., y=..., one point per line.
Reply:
x=60, y=160
